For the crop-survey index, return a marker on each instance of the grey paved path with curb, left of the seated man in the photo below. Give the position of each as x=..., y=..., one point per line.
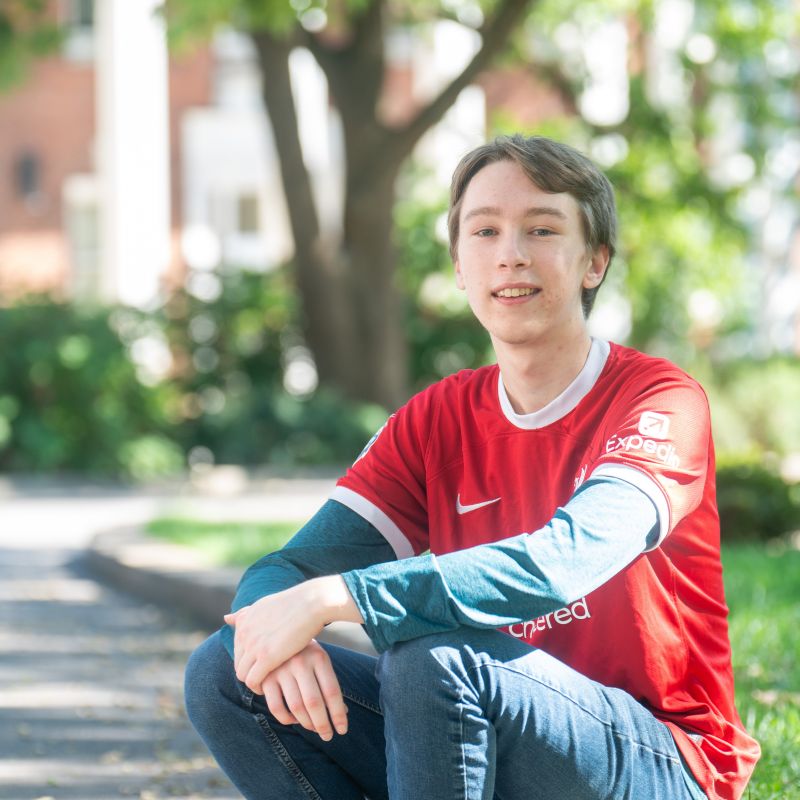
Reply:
x=91, y=676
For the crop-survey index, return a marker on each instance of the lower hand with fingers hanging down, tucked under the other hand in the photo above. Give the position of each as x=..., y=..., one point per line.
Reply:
x=305, y=691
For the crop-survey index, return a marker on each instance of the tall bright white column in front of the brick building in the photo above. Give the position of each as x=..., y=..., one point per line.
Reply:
x=133, y=149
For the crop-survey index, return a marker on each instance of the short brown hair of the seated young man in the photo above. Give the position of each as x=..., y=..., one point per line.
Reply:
x=553, y=167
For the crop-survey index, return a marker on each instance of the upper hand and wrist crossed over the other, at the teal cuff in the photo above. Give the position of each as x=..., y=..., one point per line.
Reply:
x=275, y=628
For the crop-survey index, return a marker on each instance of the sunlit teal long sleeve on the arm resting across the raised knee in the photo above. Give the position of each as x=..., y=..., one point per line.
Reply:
x=512, y=580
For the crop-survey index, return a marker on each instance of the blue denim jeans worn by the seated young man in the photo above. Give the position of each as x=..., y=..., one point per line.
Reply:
x=470, y=714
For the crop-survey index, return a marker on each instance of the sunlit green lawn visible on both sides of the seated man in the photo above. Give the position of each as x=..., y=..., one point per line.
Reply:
x=763, y=592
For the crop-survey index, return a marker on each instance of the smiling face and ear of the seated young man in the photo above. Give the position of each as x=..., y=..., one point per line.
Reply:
x=522, y=258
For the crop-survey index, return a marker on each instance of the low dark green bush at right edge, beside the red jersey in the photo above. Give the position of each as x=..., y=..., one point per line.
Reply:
x=754, y=501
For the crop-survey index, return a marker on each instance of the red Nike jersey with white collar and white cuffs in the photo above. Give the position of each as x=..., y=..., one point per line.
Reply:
x=457, y=467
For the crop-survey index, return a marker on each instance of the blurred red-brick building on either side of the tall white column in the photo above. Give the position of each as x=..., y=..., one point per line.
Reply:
x=50, y=194
